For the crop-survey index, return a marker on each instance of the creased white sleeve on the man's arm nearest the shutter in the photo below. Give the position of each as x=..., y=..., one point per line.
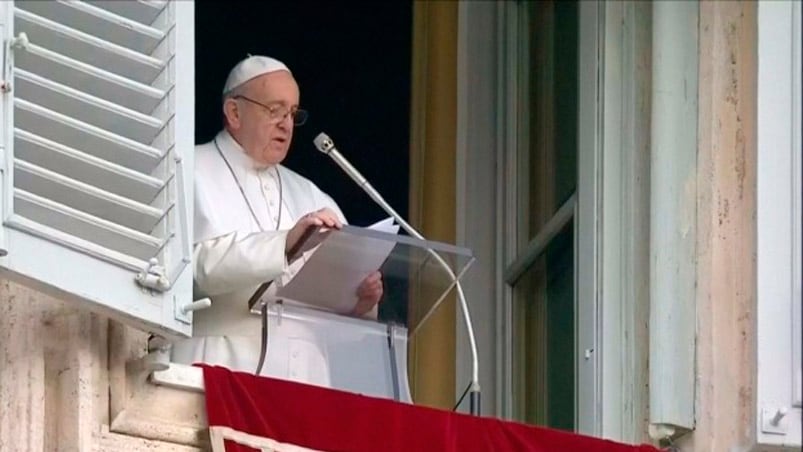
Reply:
x=235, y=261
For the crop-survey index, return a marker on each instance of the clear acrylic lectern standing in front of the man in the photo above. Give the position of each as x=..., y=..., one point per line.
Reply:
x=364, y=355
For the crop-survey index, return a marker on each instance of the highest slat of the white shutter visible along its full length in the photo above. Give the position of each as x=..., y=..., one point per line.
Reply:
x=87, y=48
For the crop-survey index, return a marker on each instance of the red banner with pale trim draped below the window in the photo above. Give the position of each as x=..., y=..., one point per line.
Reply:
x=249, y=413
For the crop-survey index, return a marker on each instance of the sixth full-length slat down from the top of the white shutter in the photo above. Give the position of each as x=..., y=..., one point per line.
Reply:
x=84, y=197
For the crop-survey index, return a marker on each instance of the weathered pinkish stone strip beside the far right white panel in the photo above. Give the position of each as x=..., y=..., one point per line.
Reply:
x=726, y=225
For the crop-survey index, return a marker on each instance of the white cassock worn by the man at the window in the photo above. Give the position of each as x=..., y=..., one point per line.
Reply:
x=234, y=253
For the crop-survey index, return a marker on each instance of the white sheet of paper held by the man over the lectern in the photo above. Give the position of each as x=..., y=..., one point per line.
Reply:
x=332, y=274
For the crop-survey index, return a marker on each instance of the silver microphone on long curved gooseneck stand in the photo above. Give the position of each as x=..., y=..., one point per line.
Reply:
x=325, y=144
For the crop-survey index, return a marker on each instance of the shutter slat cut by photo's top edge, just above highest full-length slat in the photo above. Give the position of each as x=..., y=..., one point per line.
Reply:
x=98, y=22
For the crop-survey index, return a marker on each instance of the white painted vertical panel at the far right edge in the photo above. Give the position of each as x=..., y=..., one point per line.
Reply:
x=778, y=225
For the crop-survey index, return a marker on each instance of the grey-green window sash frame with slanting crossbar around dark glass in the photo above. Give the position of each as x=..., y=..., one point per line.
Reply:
x=517, y=259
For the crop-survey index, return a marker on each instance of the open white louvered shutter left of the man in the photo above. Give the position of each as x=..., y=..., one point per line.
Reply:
x=97, y=125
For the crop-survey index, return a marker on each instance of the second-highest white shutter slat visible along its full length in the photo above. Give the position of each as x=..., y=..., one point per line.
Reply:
x=90, y=79
